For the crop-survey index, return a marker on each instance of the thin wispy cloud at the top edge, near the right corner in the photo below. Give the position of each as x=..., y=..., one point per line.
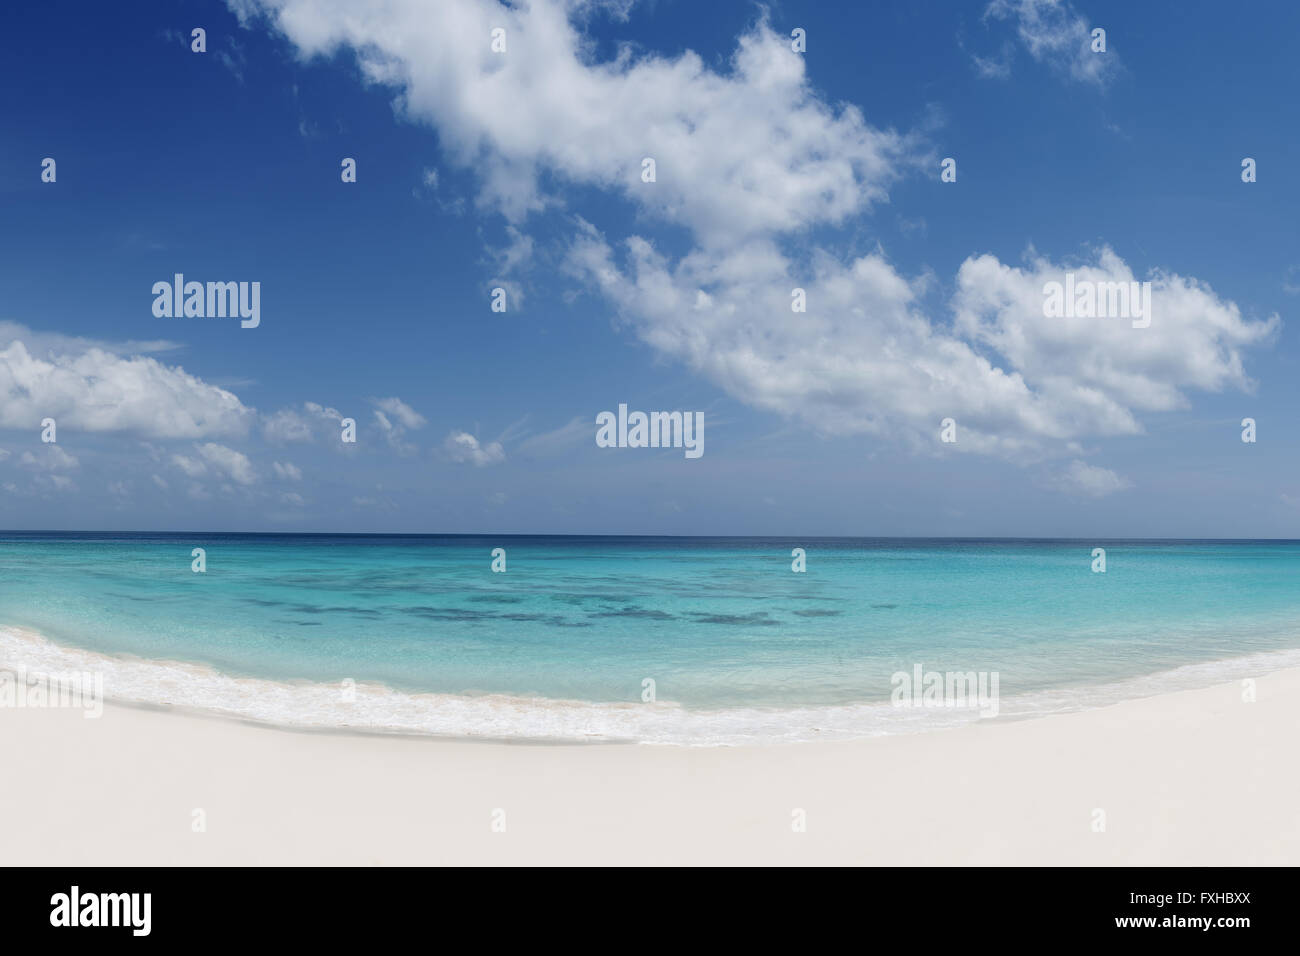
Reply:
x=1056, y=34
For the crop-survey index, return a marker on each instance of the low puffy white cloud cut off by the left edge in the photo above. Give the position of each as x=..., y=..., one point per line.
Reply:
x=94, y=390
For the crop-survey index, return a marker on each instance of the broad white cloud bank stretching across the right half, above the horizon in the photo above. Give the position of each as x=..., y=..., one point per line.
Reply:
x=866, y=358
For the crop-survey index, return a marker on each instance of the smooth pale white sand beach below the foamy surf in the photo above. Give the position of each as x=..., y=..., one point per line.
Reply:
x=1197, y=777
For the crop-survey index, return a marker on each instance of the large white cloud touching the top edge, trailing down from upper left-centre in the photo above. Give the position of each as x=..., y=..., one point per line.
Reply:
x=751, y=150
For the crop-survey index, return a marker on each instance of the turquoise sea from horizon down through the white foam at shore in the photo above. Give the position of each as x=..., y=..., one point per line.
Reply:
x=564, y=642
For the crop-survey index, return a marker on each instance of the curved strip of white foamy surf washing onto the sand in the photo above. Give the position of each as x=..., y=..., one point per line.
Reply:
x=374, y=710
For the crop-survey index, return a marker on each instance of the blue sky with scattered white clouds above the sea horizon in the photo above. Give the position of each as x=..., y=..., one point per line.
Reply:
x=775, y=170
